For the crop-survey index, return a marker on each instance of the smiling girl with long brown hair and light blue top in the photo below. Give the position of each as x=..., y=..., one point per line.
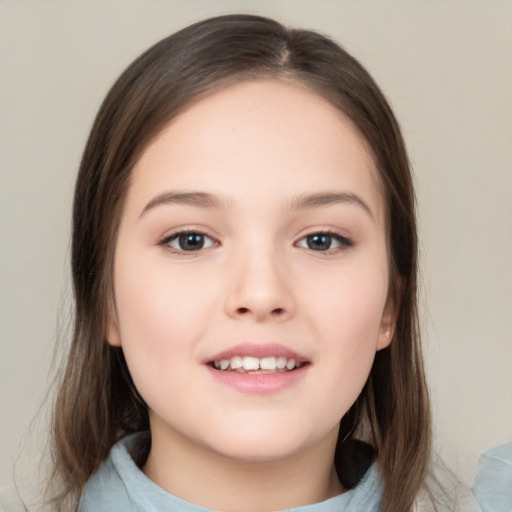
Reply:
x=244, y=267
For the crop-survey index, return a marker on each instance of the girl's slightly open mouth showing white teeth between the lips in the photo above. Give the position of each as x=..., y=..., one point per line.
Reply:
x=270, y=364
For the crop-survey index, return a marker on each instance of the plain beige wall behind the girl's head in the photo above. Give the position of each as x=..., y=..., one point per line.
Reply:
x=447, y=70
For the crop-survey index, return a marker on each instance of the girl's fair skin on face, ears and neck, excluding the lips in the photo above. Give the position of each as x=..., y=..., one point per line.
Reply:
x=257, y=147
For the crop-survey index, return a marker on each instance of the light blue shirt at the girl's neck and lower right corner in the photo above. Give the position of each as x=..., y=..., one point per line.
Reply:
x=120, y=486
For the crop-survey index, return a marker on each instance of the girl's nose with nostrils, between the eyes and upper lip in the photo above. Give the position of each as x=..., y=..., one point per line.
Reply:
x=260, y=288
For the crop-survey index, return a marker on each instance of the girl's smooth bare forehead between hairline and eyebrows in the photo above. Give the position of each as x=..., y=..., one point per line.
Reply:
x=259, y=138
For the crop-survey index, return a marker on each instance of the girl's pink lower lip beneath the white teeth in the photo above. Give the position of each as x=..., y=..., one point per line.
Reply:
x=259, y=383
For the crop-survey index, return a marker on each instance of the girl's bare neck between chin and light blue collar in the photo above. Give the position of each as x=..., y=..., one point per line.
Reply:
x=217, y=482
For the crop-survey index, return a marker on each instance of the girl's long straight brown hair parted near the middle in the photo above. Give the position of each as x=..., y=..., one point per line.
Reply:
x=97, y=403
